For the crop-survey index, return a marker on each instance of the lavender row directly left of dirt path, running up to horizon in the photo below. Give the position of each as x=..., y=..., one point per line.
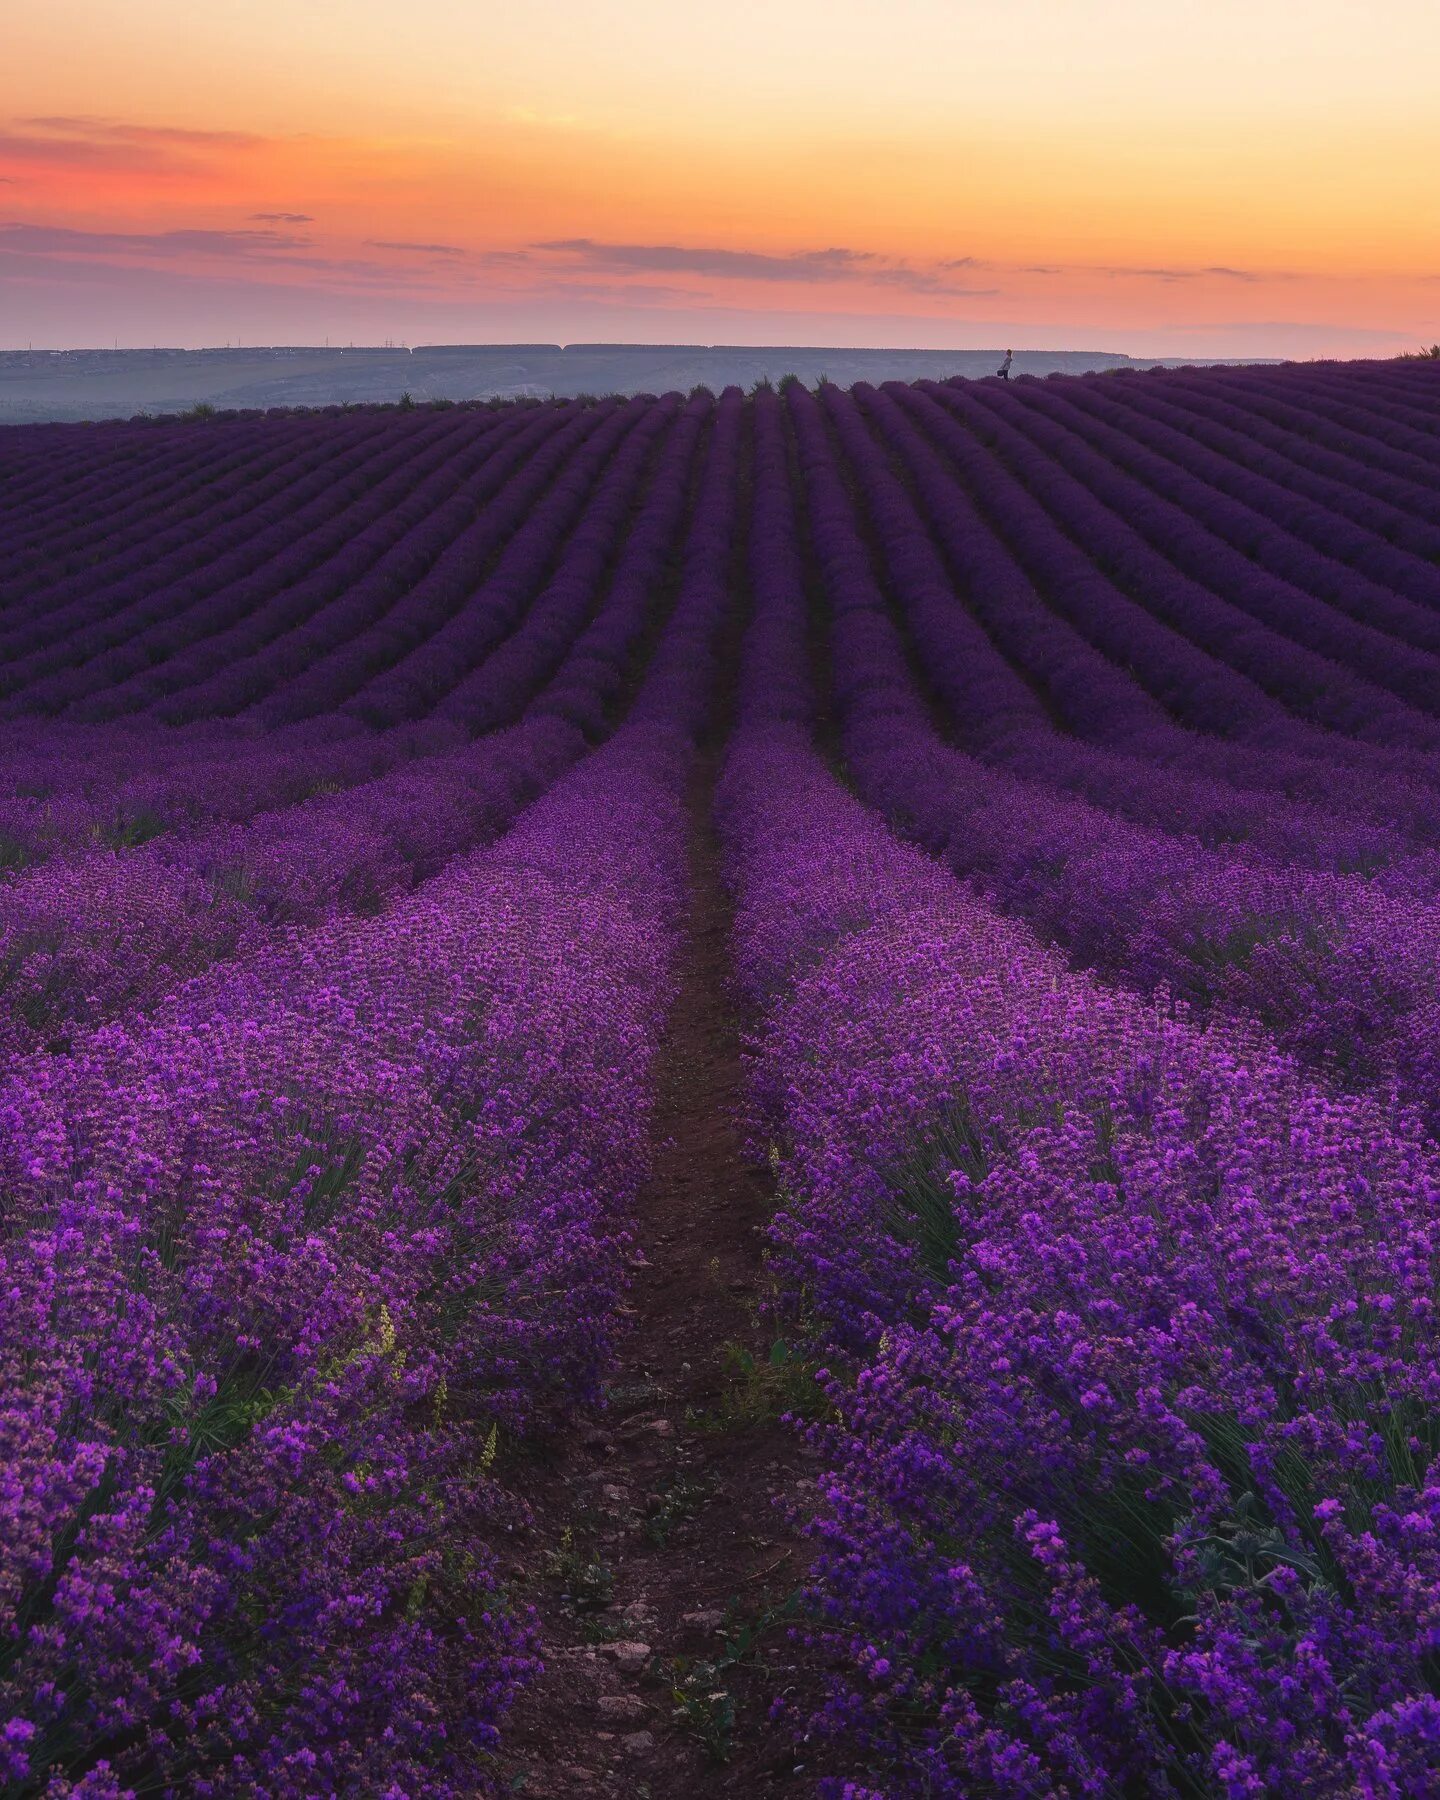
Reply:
x=292, y=1254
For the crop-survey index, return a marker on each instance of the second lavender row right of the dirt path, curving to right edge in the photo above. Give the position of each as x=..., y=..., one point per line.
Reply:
x=1338, y=967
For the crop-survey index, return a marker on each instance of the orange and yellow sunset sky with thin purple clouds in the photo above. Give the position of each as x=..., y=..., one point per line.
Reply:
x=1225, y=177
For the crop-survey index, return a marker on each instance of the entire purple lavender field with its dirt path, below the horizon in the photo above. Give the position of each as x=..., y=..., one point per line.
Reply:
x=1038, y=784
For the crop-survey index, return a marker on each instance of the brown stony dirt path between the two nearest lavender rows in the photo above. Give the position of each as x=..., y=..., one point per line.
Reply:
x=667, y=1561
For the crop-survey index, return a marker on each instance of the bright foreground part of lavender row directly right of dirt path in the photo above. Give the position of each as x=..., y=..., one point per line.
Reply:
x=1128, y=1347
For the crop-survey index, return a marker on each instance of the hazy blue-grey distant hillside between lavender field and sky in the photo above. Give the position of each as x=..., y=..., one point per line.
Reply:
x=105, y=384
